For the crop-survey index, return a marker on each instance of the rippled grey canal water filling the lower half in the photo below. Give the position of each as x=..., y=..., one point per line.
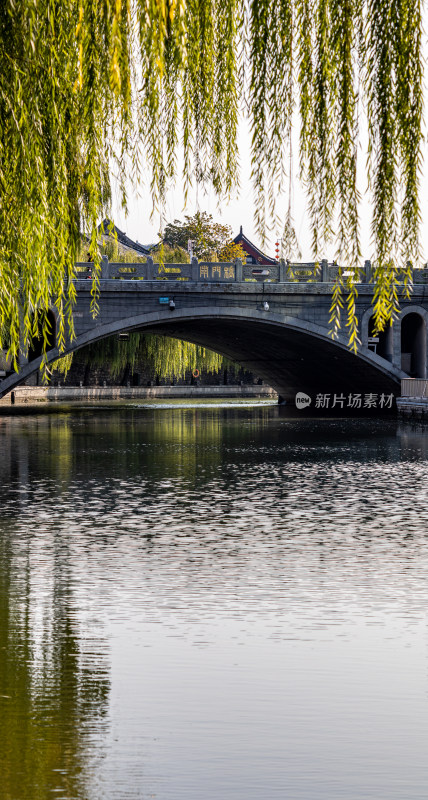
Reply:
x=212, y=604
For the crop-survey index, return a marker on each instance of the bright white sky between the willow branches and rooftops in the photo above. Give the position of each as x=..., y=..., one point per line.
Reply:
x=240, y=210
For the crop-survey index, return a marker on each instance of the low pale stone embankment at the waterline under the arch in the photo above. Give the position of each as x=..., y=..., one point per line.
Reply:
x=37, y=395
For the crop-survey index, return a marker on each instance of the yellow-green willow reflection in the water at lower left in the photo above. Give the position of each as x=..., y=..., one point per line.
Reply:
x=54, y=687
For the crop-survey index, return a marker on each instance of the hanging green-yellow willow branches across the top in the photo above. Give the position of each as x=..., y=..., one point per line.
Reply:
x=89, y=88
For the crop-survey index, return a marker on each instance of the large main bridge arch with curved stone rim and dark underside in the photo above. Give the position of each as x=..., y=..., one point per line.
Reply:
x=288, y=353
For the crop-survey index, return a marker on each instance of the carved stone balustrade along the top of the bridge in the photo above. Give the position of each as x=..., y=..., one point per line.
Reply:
x=229, y=272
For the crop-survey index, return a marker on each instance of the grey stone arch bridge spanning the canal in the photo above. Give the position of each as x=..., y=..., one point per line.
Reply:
x=274, y=321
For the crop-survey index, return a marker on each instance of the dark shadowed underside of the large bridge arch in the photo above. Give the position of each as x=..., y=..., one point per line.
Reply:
x=288, y=360
